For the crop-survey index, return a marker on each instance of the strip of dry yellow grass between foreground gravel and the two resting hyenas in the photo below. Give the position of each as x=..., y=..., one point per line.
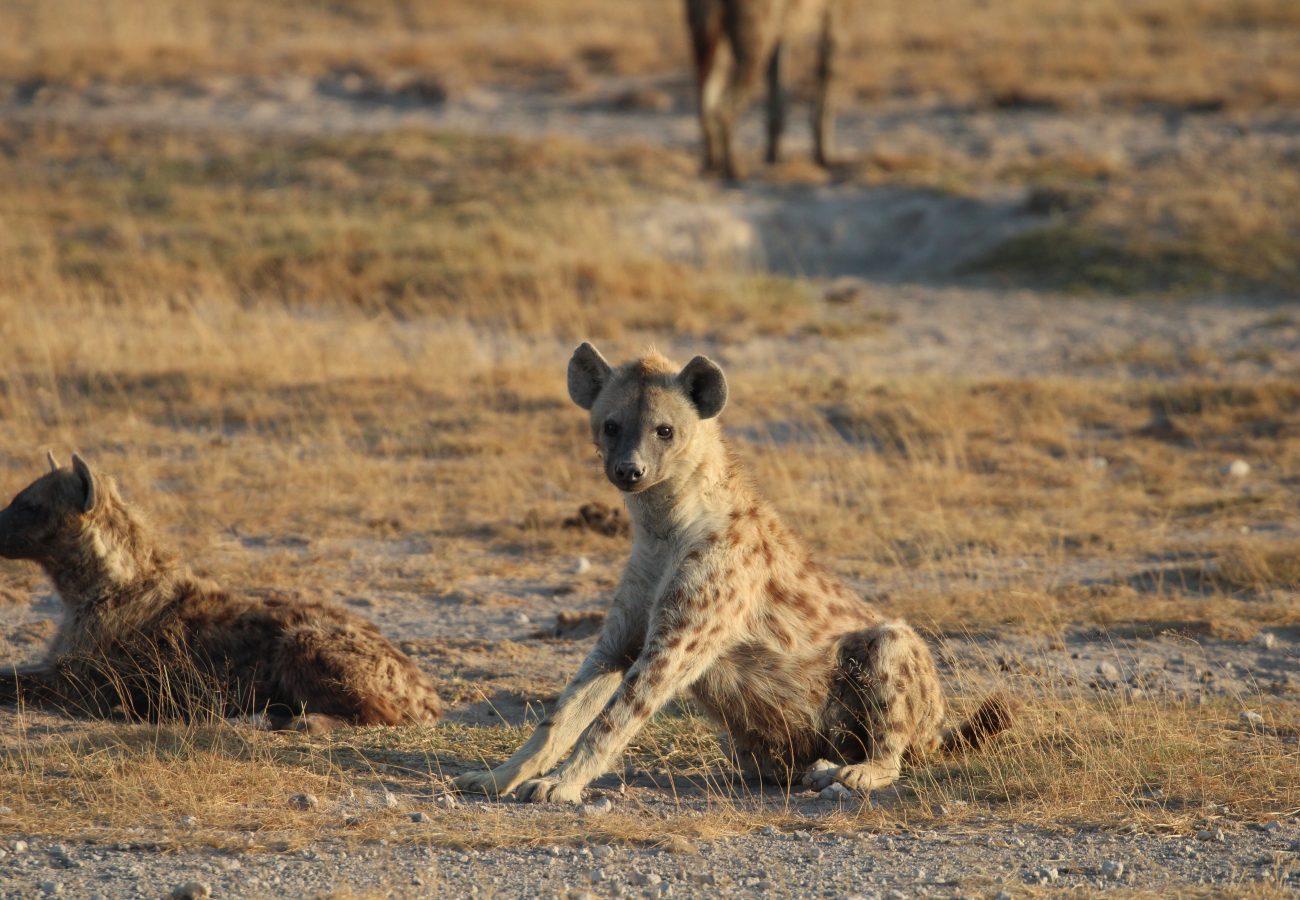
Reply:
x=1147, y=765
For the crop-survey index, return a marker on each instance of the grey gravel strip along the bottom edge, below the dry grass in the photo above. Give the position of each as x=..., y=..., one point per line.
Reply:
x=983, y=858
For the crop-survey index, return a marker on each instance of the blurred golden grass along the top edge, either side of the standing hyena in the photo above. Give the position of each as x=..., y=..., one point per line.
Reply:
x=1190, y=54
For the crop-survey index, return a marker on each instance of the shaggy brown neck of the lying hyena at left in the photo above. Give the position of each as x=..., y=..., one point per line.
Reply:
x=114, y=560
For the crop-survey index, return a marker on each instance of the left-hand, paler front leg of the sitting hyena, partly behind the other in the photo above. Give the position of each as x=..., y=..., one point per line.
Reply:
x=582, y=702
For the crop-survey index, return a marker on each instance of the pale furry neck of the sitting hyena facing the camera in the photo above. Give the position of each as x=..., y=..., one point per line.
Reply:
x=704, y=494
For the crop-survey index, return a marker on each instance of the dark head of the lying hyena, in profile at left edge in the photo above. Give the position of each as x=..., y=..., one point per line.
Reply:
x=47, y=514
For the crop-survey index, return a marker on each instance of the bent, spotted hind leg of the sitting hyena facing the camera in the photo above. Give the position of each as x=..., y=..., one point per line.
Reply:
x=886, y=702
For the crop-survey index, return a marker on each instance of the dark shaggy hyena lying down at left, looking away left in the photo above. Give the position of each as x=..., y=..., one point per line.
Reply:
x=144, y=638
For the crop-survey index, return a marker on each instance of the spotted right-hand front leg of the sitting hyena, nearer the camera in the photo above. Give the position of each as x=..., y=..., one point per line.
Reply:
x=670, y=664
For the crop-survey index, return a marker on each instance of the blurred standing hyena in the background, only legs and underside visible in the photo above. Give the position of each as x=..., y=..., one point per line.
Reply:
x=734, y=42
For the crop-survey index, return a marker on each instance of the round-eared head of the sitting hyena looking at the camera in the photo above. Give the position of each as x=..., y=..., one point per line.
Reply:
x=649, y=421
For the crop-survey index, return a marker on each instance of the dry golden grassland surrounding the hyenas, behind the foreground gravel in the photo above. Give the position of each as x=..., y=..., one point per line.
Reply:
x=335, y=364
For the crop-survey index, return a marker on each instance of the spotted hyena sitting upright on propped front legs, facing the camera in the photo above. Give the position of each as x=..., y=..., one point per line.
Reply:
x=720, y=599
